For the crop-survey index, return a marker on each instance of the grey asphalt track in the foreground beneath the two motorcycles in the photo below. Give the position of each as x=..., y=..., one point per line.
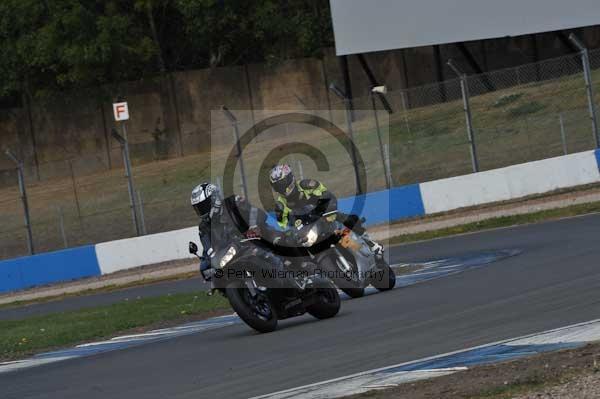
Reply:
x=553, y=283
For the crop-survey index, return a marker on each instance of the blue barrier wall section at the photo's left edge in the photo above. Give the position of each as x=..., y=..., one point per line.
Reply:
x=47, y=268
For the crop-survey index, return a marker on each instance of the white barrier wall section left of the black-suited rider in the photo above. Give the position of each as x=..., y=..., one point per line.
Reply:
x=151, y=249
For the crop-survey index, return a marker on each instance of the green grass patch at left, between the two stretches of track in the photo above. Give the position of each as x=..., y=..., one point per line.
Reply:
x=22, y=337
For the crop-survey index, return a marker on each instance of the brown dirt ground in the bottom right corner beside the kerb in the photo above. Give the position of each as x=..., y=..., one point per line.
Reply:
x=563, y=374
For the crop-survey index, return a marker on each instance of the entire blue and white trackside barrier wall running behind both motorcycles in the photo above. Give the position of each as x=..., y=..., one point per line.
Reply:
x=377, y=207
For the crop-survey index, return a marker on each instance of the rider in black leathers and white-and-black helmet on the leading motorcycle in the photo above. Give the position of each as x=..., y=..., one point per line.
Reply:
x=222, y=220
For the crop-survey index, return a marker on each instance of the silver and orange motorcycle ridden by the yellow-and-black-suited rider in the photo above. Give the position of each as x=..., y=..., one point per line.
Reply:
x=352, y=260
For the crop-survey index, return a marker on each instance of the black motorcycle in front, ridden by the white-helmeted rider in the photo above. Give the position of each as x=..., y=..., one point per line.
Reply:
x=237, y=272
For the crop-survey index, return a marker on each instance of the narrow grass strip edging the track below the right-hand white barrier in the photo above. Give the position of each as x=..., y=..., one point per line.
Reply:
x=504, y=221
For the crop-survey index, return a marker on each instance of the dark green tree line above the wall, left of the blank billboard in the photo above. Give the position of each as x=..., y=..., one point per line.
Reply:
x=52, y=46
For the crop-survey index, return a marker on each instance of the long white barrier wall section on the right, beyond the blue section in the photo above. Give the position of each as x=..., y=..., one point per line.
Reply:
x=511, y=182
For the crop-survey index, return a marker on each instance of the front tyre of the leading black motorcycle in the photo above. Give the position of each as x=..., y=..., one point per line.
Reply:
x=238, y=296
